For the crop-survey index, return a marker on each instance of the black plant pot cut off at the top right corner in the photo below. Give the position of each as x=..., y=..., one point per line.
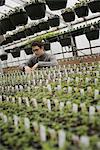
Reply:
x=94, y=6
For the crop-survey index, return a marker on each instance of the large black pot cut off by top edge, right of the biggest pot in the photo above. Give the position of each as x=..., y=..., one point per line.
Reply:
x=56, y=4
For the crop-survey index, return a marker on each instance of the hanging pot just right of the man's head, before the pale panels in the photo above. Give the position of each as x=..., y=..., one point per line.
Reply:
x=64, y=39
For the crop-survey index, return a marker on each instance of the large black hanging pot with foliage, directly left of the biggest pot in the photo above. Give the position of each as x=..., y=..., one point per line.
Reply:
x=18, y=17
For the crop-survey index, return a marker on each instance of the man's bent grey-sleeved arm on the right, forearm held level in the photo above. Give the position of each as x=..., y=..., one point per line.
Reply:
x=52, y=62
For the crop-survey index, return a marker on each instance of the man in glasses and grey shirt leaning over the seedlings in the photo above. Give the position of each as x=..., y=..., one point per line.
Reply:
x=39, y=59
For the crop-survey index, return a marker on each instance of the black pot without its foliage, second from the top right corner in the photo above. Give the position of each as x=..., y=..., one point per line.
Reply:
x=81, y=11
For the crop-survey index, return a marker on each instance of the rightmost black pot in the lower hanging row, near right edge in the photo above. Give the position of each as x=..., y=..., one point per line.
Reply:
x=92, y=34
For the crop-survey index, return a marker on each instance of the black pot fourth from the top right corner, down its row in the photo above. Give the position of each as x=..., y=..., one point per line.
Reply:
x=54, y=21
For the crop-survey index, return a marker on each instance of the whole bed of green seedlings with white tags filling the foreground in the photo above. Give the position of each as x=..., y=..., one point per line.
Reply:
x=56, y=114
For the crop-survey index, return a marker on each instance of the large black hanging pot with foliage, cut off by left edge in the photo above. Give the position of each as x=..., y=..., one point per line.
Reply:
x=6, y=24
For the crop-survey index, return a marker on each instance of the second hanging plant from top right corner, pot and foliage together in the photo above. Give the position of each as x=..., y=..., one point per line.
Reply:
x=81, y=9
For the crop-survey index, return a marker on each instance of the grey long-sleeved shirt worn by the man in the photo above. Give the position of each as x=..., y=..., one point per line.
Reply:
x=46, y=60
